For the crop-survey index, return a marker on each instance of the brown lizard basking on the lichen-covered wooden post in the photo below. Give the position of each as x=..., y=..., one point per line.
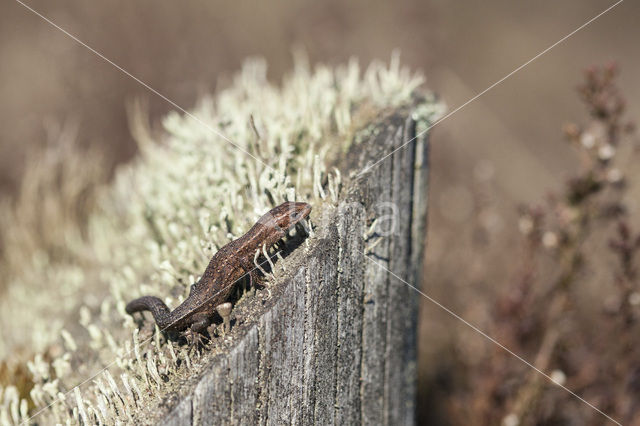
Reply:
x=227, y=267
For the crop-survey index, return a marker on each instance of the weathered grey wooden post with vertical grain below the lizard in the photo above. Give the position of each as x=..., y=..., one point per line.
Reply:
x=337, y=343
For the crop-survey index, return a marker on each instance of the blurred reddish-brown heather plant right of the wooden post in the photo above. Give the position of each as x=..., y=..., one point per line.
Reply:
x=543, y=315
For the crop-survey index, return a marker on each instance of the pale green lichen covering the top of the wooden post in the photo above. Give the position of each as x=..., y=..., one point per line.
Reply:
x=156, y=227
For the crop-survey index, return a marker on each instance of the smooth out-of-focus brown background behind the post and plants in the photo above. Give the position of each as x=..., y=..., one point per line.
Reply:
x=502, y=150
